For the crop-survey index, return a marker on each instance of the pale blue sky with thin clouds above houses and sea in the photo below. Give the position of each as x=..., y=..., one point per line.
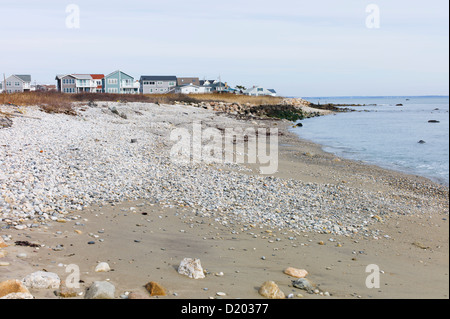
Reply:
x=300, y=48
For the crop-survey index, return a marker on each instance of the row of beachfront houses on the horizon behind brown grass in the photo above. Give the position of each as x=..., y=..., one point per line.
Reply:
x=119, y=82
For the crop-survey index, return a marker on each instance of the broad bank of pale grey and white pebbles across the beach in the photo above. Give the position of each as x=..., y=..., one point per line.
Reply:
x=52, y=165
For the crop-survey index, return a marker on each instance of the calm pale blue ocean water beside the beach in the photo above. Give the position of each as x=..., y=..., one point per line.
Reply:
x=387, y=135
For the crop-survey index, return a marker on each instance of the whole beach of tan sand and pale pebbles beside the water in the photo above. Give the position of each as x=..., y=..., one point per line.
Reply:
x=142, y=214
